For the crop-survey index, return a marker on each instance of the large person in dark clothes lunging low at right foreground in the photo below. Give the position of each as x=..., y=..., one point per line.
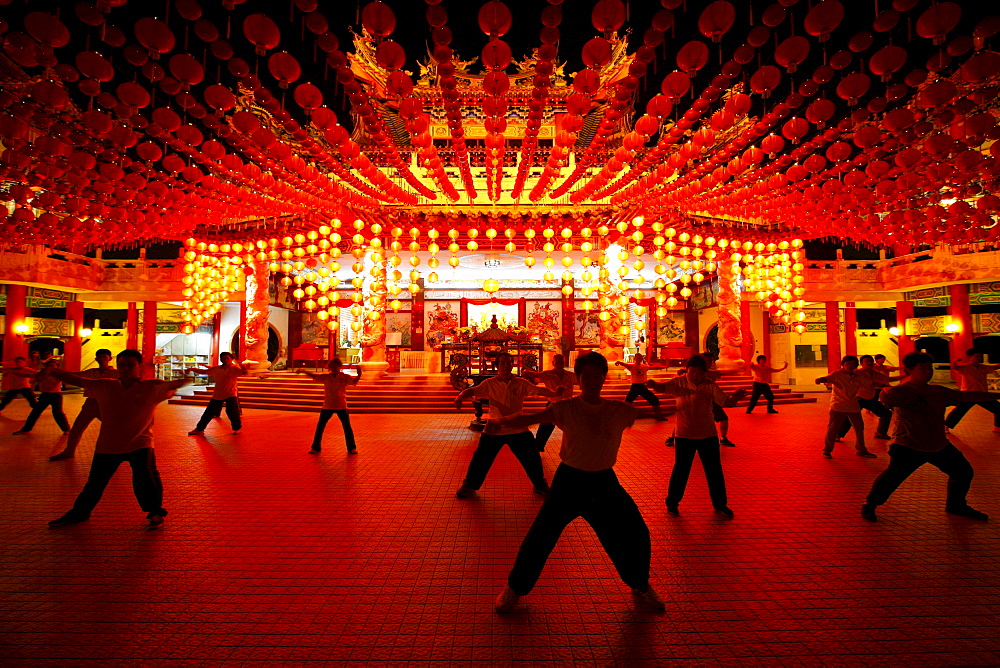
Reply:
x=918, y=438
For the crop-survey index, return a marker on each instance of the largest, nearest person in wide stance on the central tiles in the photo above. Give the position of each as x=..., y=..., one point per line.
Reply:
x=584, y=485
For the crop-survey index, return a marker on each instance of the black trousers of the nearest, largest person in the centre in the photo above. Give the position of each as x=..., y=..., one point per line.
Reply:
x=597, y=497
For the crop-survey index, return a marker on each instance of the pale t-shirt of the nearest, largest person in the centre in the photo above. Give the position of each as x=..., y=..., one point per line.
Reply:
x=592, y=433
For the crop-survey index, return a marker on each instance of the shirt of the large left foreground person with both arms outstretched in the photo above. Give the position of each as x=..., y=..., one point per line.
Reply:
x=126, y=413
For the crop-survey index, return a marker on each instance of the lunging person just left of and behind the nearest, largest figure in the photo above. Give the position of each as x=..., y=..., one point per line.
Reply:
x=506, y=393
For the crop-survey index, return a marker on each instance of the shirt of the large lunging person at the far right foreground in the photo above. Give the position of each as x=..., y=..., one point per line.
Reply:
x=918, y=414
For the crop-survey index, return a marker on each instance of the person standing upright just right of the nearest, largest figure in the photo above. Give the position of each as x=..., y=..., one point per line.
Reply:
x=695, y=433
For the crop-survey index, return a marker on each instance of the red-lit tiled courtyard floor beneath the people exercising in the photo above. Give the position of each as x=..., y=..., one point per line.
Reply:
x=270, y=554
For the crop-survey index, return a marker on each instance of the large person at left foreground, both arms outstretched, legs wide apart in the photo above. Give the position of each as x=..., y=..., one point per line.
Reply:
x=127, y=404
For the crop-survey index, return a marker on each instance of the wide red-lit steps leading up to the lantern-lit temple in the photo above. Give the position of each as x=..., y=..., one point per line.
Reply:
x=405, y=393
